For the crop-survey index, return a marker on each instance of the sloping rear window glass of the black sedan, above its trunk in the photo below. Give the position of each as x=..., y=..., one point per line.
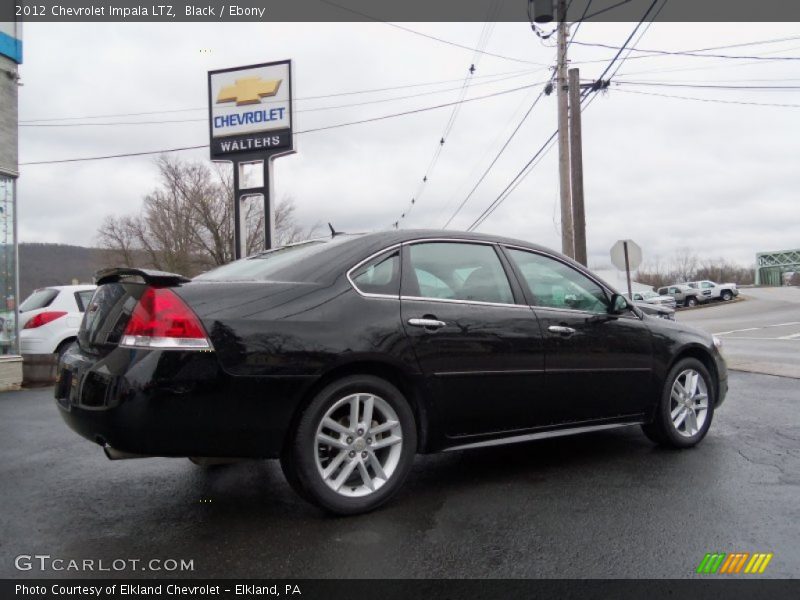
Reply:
x=267, y=265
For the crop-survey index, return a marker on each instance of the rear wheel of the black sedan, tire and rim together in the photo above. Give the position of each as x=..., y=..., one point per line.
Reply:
x=357, y=466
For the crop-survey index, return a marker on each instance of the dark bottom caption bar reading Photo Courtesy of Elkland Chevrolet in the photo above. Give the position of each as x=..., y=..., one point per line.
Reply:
x=707, y=587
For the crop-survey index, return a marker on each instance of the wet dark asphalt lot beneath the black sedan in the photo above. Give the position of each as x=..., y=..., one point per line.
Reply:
x=609, y=504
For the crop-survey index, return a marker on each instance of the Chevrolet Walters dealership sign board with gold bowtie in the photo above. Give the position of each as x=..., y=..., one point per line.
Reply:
x=250, y=110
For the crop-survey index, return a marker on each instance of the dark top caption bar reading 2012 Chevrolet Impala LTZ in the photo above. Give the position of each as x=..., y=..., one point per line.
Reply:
x=388, y=10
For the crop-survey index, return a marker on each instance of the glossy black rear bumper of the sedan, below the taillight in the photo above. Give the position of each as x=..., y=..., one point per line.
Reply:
x=173, y=403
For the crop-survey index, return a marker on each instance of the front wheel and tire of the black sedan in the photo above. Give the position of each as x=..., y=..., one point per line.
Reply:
x=685, y=409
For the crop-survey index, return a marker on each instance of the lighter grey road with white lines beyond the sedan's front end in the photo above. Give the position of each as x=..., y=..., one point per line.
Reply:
x=760, y=333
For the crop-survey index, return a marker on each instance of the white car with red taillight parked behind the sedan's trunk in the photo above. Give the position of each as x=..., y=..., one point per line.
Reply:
x=49, y=318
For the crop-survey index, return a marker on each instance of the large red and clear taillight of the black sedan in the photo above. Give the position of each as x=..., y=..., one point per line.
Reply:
x=162, y=320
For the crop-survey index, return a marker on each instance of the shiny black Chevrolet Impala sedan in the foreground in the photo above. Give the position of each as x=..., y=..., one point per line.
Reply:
x=345, y=357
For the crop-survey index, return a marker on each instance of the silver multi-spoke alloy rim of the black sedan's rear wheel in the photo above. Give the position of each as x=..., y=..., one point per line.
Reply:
x=358, y=444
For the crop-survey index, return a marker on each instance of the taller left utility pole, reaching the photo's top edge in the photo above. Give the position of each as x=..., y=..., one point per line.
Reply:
x=567, y=241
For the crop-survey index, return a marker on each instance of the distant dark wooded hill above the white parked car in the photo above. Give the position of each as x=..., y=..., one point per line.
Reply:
x=41, y=265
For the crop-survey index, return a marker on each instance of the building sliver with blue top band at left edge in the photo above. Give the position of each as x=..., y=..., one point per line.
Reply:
x=10, y=58
